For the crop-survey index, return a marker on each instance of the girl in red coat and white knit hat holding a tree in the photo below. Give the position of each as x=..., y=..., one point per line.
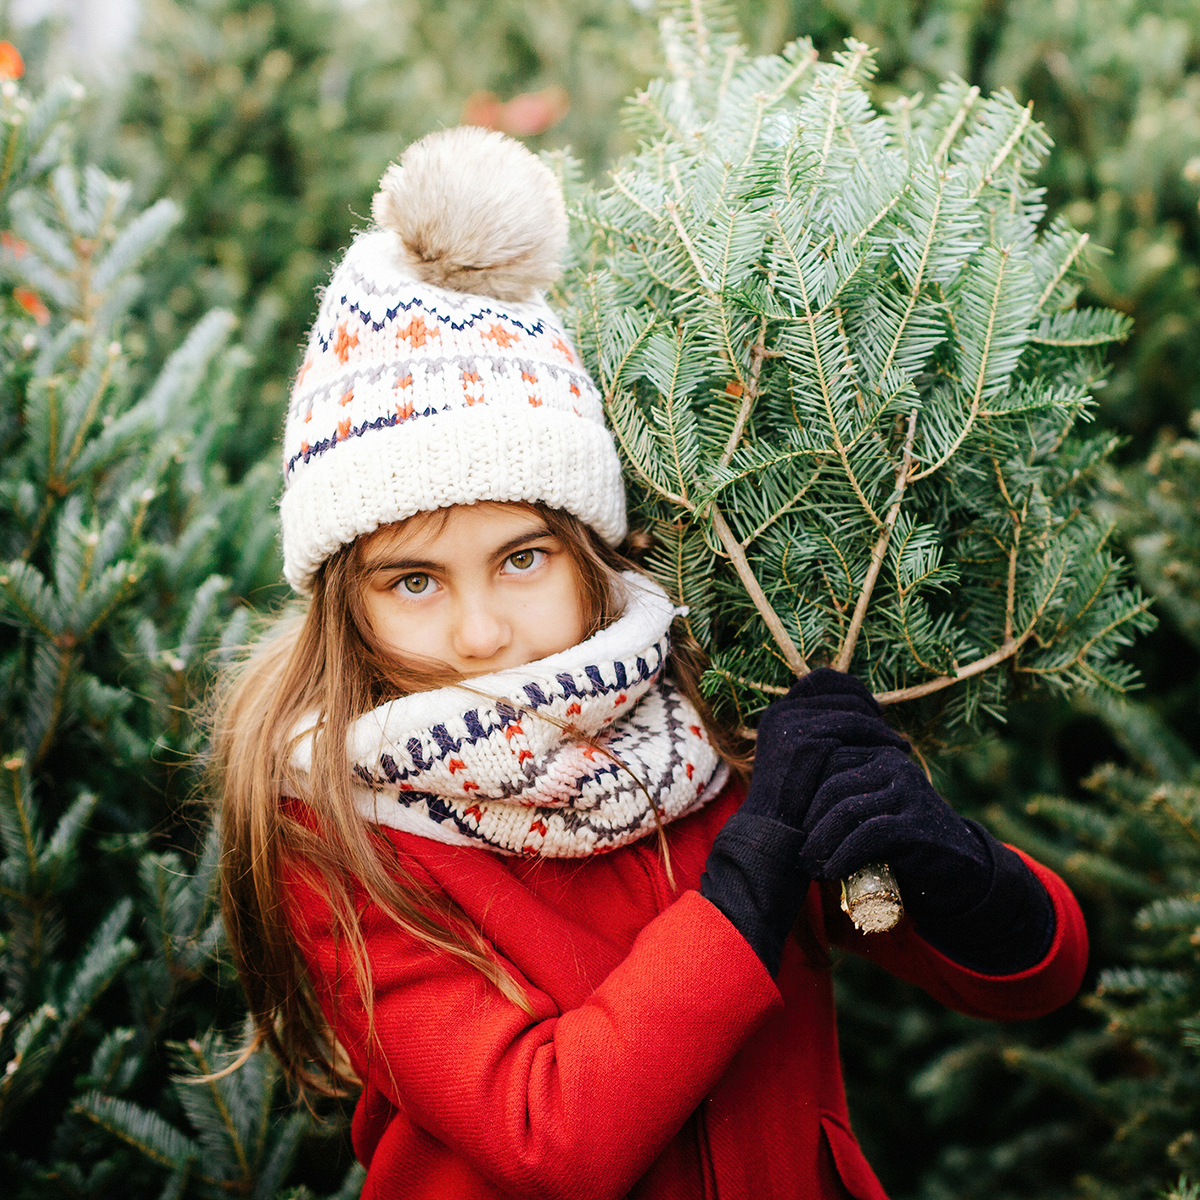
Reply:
x=485, y=853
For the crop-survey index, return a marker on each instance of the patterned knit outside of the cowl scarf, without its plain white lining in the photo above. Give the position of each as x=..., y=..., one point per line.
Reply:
x=494, y=776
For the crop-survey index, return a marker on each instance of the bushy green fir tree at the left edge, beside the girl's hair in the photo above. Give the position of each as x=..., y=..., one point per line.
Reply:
x=127, y=560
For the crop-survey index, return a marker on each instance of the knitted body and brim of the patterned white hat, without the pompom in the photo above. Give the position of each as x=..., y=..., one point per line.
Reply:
x=412, y=398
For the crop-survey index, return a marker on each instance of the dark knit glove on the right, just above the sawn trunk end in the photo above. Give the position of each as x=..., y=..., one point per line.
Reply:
x=969, y=896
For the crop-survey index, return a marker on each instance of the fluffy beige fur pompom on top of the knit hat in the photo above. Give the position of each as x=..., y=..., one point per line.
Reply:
x=475, y=212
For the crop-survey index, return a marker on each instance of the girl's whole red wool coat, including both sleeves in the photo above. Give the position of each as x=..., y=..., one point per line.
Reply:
x=663, y=1060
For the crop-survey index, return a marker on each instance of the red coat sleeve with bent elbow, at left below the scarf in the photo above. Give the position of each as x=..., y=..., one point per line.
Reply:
x=573, y=1105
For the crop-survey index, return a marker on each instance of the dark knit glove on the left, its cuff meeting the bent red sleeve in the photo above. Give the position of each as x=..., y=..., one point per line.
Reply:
x=754, y=873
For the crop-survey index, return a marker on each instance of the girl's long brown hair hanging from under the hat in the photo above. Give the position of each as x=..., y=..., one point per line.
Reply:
x=326, y=661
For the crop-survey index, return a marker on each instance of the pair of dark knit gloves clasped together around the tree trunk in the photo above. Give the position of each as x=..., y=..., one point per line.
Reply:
x=833, y=790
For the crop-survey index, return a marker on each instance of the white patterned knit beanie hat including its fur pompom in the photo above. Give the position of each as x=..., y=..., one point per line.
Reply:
x=436, y=374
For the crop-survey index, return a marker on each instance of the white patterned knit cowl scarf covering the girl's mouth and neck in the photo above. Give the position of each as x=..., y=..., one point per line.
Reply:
x=565, y=758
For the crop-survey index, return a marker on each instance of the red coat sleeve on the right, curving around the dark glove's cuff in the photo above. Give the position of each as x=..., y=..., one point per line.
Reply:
x=1035, y=992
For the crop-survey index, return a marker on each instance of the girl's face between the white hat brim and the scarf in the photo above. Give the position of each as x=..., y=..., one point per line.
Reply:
x=478, y=587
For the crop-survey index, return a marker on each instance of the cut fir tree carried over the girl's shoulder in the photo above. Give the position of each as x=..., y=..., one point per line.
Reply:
x=842, y=357
